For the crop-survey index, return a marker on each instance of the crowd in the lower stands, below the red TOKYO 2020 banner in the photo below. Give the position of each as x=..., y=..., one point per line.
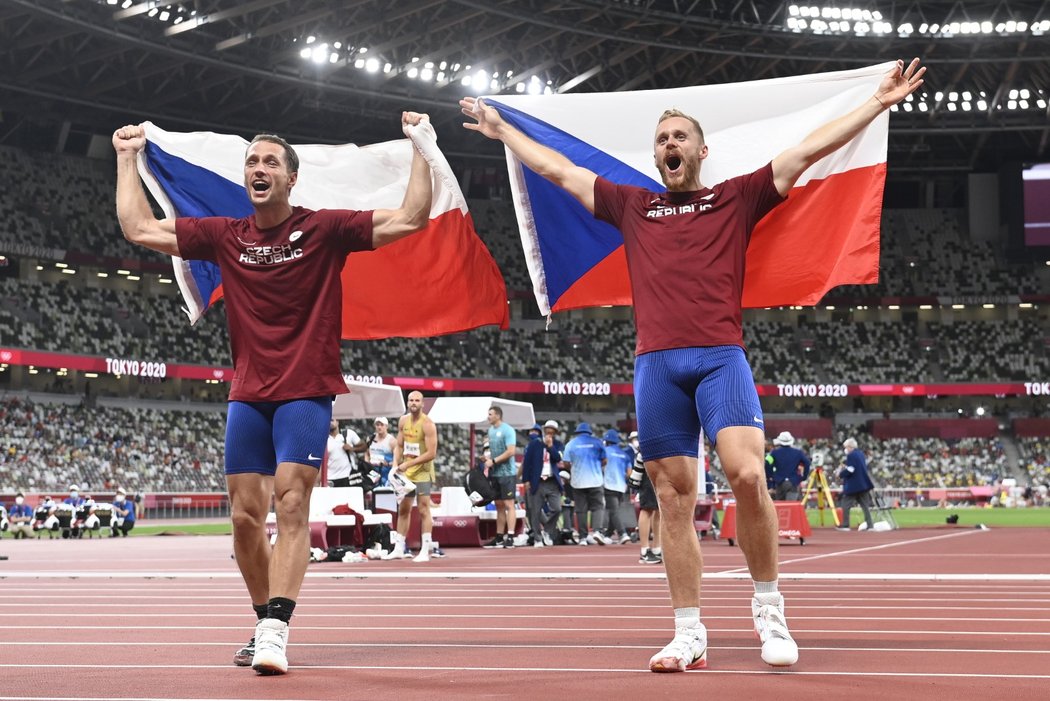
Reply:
x=47, y=447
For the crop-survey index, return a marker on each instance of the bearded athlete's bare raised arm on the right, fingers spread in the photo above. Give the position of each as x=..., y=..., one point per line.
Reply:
x=897, y=84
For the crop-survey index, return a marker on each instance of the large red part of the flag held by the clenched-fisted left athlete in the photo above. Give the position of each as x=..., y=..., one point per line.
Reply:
x=440, y=281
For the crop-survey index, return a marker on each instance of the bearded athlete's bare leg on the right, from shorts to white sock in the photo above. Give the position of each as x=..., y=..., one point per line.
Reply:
x=741, y=450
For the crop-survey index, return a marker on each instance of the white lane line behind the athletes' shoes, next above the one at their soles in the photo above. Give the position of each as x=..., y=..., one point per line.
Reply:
x=487, y=646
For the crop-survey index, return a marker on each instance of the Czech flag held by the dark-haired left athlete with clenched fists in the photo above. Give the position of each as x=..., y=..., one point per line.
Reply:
x=440, y=281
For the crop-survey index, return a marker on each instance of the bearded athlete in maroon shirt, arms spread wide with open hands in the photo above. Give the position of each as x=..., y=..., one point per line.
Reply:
x=686, y=257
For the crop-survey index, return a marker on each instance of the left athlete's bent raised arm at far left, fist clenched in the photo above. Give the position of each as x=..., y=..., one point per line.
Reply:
x=137, y=219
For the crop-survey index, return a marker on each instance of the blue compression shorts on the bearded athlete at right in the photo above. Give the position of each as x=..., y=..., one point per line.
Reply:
x=680, y=391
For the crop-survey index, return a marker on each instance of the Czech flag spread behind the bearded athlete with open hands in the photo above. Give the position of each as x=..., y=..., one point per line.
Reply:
x=827, y=235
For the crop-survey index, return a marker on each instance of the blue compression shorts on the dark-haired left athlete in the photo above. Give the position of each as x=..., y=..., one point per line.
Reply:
x=260, y=436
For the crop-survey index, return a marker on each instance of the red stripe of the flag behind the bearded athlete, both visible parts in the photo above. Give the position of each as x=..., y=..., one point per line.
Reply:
x=827, y=235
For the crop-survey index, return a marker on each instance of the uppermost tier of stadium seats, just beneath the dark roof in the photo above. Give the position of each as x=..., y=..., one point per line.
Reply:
x=66, y=204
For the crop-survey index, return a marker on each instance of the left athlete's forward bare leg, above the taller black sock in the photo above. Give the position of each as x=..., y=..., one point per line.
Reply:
x=288, y=565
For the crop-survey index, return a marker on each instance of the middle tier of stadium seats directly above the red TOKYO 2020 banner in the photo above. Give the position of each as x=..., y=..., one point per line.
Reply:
x=68, y=317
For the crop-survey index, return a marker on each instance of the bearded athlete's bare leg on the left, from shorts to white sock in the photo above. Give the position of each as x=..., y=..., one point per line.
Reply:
x=675, y=480
